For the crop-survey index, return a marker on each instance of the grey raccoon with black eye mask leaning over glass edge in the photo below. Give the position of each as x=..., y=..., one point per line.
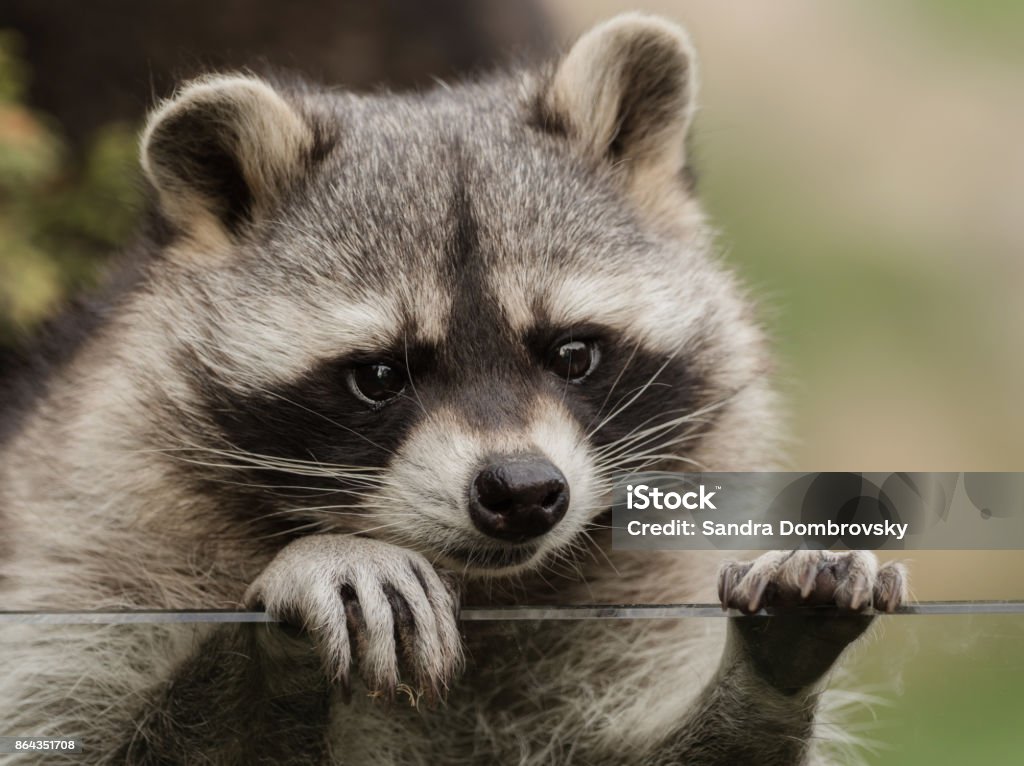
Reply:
x=379, y=357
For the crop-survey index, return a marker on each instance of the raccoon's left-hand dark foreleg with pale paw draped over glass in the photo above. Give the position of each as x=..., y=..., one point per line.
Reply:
x=261, y=694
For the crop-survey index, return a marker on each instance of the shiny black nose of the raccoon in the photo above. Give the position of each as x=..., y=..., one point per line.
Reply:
x=519, y=498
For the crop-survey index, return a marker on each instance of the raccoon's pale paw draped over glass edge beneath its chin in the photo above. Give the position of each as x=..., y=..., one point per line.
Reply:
x=369, y=606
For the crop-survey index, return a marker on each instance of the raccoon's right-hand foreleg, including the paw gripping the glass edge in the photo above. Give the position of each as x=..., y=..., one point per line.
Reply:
x=760, y=707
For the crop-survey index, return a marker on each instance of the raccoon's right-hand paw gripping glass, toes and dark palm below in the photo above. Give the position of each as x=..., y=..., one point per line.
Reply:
x=793, y=651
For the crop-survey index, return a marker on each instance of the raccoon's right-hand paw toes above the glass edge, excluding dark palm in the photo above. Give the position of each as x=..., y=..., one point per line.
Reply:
x=849, y=580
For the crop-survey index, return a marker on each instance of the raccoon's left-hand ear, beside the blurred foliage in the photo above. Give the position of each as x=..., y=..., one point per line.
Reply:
x=223, y=150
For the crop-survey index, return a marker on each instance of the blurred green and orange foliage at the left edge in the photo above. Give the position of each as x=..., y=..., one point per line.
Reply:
x=60, y=216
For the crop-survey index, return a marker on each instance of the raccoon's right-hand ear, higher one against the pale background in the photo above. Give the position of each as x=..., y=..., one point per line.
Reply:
x=626, y=94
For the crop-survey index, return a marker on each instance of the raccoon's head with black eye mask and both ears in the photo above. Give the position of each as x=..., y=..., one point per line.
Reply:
x=446, y=321
